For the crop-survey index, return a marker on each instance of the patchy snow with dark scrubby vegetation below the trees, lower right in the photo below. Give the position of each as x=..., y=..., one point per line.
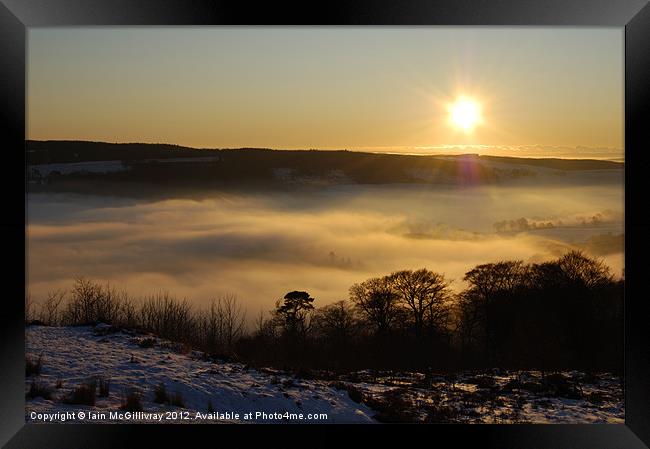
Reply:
x=497, y=397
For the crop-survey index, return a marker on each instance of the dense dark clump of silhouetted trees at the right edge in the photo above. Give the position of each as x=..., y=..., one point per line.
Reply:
x=557, y=314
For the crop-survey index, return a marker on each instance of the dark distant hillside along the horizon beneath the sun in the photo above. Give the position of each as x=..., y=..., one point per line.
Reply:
x=80, y=166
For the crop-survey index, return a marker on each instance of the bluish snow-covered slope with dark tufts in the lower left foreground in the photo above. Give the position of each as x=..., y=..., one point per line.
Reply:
x=72, y=355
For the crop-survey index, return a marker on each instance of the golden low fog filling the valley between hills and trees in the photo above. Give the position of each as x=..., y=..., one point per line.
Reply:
x=260, y=246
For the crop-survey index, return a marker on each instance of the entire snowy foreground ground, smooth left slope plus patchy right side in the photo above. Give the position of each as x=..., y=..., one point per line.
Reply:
x=71, y=356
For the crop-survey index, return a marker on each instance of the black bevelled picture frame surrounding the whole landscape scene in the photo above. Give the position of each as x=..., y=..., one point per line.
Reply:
x=632, y=15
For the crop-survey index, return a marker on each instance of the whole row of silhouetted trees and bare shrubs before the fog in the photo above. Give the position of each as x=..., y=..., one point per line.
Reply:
x=565, y=313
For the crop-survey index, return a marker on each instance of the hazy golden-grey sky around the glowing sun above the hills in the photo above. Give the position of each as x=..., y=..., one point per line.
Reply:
x=328, y=87
